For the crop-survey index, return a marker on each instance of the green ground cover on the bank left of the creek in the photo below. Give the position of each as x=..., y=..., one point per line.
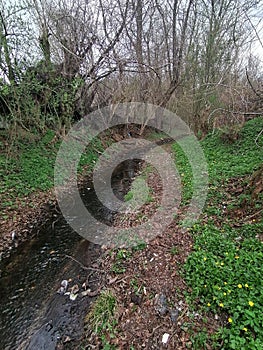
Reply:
x=31, y=168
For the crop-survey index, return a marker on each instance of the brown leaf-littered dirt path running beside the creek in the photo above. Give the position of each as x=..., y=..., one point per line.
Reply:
x=149, y=287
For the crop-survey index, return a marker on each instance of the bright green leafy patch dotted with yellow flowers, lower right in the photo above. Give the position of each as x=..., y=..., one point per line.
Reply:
x=225, y=274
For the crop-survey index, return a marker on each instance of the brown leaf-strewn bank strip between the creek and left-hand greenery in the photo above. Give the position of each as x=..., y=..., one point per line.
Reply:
x=33, y=211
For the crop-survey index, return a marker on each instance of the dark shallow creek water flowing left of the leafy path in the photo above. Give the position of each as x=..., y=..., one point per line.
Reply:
x=33, y=315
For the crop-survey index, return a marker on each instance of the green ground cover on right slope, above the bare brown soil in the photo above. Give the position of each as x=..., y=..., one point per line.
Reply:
x=225, y=161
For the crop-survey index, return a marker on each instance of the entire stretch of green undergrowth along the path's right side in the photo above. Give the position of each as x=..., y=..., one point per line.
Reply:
x=224, y=271
